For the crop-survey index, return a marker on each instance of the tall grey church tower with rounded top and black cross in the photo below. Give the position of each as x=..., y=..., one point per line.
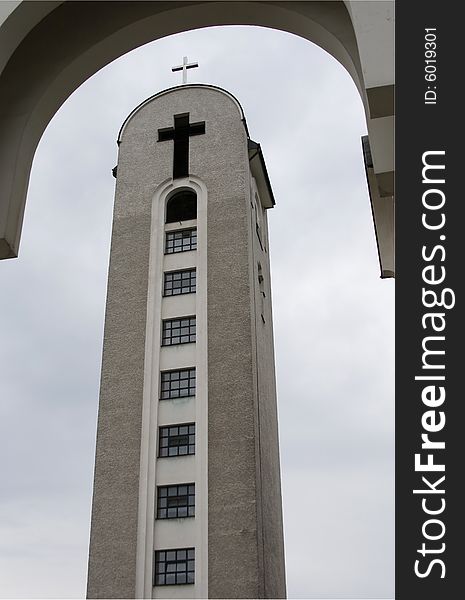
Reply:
x=187, y=492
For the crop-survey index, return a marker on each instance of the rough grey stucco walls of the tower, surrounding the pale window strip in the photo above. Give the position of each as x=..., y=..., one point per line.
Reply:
x=244, y=509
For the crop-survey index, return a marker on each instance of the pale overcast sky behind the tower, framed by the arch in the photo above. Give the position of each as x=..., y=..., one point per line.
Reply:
x=333, y=318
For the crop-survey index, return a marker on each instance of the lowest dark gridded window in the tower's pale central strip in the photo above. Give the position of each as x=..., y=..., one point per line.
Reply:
x=174, y=567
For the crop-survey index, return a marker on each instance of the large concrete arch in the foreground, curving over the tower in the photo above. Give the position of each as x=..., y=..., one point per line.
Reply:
x=49, y=48
